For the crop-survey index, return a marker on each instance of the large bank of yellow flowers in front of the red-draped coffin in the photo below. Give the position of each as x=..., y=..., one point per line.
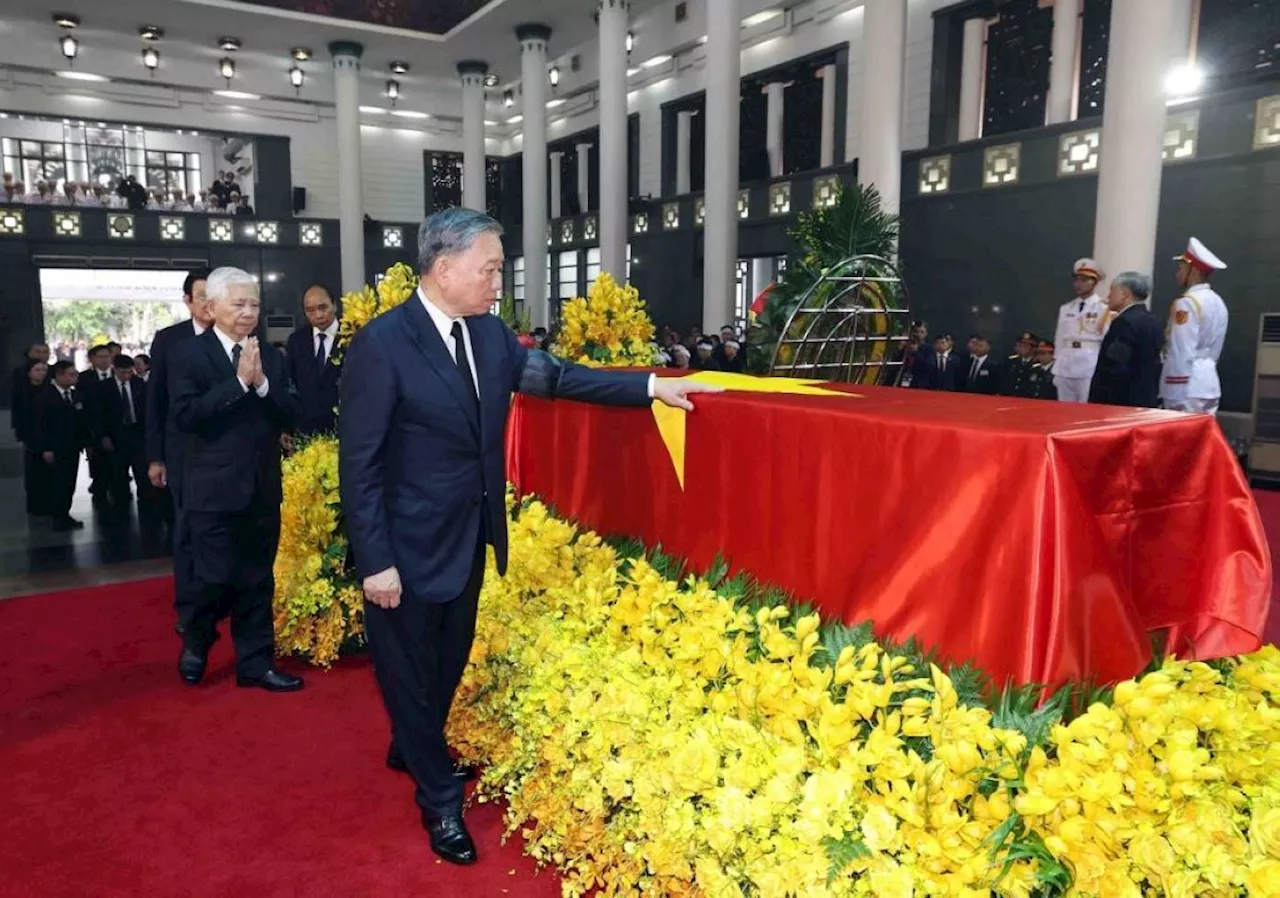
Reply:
x=666, y=739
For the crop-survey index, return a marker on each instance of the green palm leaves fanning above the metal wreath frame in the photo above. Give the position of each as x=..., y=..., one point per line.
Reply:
x=822, y=239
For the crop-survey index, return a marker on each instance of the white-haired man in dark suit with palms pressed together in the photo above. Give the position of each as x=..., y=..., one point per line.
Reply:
x=231, y=401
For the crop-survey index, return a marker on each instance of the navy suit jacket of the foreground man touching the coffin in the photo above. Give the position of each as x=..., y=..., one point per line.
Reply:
x=423, y=470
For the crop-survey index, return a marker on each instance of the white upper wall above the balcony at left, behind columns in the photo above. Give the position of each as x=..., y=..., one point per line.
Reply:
x=392, y=154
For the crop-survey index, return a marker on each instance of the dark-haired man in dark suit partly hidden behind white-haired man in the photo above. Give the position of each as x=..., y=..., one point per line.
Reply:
x=164, y=443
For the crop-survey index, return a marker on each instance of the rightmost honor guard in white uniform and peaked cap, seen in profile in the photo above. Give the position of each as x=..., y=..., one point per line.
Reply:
x=1195, y=336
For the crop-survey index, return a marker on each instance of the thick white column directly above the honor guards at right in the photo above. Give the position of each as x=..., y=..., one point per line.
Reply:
x=1133, y=135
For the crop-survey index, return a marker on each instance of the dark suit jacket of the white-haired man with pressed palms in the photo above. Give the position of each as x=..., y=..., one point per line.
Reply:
x=232, y=436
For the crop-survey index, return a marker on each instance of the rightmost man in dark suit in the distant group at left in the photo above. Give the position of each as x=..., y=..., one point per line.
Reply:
x=118, y=428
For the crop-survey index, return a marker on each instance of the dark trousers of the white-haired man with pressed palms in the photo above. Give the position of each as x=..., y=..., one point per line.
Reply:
x=232, y=557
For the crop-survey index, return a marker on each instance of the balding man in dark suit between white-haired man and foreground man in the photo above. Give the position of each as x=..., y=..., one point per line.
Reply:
x=312, y=370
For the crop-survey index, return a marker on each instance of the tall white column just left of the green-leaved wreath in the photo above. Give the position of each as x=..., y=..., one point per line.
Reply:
x=724, y=91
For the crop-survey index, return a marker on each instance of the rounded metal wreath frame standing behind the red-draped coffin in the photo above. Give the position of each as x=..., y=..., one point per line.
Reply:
x=847, y=327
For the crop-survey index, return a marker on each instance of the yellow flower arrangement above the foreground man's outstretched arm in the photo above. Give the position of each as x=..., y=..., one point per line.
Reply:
x=607, y=329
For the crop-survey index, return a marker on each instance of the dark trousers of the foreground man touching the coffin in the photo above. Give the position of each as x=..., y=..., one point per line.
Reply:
x=420, y=650
